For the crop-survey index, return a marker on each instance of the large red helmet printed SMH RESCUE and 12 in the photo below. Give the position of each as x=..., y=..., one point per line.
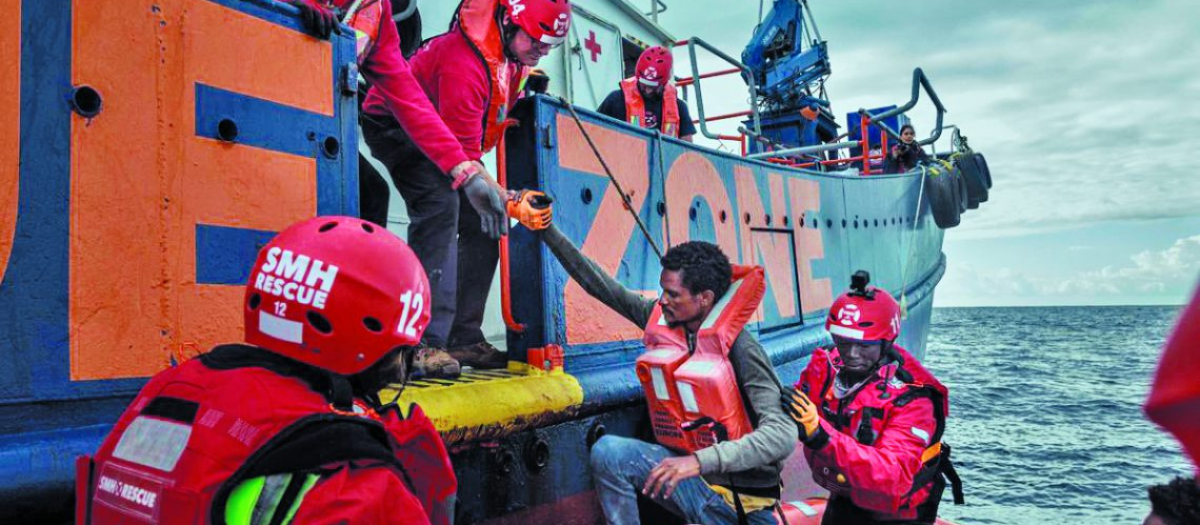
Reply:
x=337, y=293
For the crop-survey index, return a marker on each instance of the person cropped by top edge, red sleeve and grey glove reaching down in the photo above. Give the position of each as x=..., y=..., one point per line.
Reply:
x=398, y=95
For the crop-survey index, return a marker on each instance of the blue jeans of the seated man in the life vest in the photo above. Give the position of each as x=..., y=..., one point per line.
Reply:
x=620, y=468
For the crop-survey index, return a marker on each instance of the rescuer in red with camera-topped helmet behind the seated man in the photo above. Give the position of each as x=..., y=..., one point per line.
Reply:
x=872, y=418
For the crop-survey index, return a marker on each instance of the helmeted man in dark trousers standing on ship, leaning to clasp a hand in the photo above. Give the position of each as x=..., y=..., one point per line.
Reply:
x=473, y=75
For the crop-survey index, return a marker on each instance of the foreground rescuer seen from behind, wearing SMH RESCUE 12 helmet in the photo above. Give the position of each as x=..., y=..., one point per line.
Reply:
x=290, y=426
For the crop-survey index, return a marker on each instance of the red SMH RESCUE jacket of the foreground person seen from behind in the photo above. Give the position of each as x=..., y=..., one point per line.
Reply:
x=199, y=431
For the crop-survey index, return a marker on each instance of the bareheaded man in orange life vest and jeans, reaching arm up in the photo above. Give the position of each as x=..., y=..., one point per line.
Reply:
x=706, y=379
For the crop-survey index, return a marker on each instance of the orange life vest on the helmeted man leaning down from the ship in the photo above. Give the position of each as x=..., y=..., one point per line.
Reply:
x=477, y=21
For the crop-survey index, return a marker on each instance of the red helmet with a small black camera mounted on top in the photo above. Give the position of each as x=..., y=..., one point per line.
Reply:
x=865, y=313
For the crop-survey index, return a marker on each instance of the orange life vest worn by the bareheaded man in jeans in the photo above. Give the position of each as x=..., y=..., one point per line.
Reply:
x=686, y=385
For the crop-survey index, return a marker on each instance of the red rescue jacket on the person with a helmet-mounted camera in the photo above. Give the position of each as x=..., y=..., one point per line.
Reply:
x=880, y=446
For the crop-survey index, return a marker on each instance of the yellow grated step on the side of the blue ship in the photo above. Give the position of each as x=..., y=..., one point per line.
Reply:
x=490, y=405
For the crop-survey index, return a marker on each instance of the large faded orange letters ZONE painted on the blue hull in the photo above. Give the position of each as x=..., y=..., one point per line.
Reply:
x=691, y=176
